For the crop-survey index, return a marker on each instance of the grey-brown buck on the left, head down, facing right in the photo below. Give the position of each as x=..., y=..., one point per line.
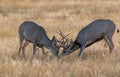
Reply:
x=31, y=32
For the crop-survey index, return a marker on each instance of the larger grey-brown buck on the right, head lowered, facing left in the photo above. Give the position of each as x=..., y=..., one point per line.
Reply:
x=92, y=33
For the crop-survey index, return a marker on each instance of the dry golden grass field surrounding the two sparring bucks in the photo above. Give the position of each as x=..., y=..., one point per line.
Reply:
x=69, y=16
